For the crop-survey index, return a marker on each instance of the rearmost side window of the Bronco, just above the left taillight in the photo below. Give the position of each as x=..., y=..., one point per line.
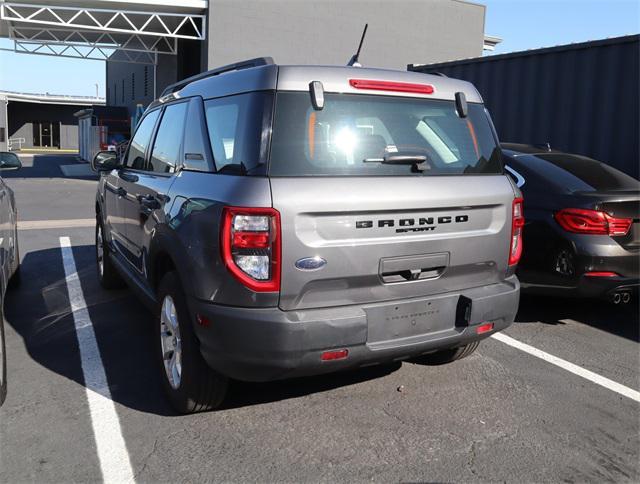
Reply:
x=235, y=126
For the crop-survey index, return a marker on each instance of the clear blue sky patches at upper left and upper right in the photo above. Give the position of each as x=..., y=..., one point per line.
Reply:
x=523, y=24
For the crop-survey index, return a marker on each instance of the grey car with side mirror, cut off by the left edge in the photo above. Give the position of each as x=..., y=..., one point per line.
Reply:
x=9, y=258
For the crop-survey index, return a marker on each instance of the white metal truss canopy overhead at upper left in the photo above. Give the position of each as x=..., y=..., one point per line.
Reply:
x=99, y=29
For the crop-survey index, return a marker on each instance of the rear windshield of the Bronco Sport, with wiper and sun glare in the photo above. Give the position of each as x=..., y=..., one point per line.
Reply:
x=363, y=135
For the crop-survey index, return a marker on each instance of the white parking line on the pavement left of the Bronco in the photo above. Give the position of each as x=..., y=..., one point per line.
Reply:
x=112, y=451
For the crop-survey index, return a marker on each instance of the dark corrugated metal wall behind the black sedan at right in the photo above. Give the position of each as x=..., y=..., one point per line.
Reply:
x=582, y=98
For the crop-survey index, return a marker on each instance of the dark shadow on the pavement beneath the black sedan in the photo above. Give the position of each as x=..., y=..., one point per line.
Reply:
x=621, y=320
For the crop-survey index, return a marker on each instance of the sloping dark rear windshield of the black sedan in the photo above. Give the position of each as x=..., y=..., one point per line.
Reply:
x=597, y=175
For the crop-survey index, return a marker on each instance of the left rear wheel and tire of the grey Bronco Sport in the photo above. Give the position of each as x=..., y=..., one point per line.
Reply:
x=190, y=385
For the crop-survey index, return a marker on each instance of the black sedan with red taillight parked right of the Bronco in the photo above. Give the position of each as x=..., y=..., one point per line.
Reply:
x=582, y=231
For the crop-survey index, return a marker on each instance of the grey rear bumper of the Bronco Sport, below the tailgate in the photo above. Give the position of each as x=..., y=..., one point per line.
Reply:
x=265, y=344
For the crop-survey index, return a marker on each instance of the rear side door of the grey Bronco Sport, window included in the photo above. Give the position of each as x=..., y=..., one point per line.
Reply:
x=147, y=196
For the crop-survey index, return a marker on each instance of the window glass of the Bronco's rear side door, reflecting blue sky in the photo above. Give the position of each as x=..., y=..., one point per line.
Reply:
x=165, y=155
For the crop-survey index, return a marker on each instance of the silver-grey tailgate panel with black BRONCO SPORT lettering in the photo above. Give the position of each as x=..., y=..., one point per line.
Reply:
x=359, y=225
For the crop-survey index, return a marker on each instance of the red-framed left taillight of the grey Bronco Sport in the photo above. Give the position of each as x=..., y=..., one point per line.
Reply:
x=251, y=246
